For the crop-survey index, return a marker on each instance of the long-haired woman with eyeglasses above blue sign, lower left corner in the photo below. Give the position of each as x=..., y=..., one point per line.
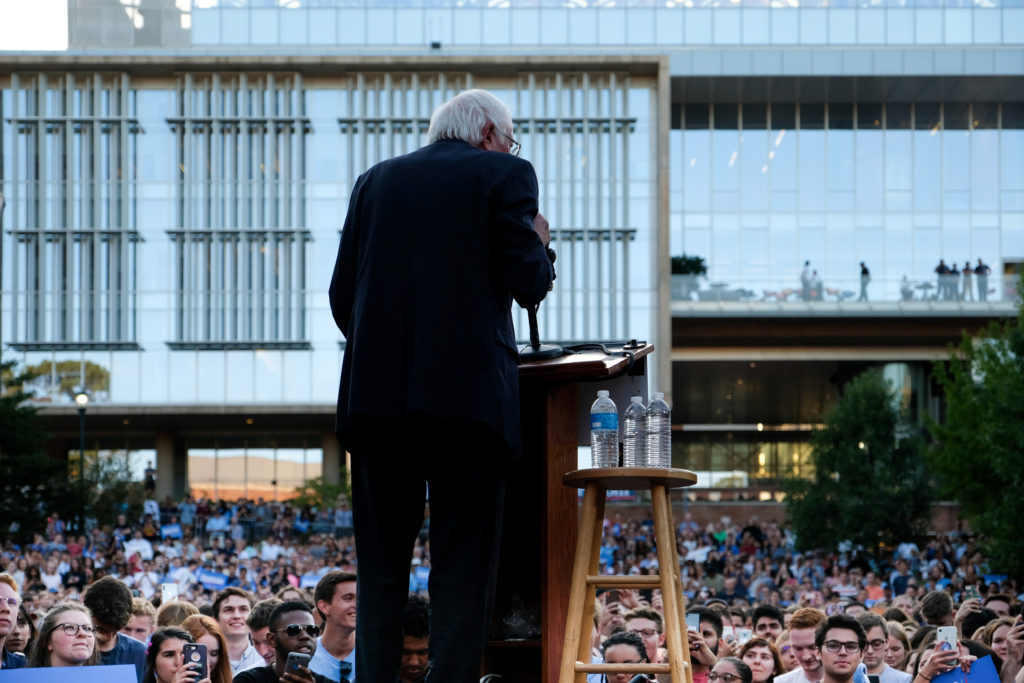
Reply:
x=65, y=638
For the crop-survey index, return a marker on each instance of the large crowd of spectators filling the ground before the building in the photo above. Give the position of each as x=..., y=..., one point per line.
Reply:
x=255, y=582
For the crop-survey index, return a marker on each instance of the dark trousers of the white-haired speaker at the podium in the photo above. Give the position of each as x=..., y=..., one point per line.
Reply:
x=391, y=476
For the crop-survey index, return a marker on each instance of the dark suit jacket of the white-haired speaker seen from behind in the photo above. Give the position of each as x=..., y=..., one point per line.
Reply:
x=436, y=246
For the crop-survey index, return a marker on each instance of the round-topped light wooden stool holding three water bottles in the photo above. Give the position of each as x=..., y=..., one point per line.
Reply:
x=586, y=572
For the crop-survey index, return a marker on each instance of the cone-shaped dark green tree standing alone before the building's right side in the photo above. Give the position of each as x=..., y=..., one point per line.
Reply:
x=871, y=485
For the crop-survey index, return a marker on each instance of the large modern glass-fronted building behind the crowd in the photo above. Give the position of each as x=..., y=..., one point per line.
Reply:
x=177, y=174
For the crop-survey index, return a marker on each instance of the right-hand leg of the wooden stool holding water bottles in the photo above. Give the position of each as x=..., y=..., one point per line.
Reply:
x=668, y=561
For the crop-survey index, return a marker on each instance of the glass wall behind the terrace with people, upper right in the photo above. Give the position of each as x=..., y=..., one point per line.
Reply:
x=764, y=192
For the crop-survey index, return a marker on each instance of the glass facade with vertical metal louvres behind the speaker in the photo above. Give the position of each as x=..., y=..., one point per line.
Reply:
x=170, y=241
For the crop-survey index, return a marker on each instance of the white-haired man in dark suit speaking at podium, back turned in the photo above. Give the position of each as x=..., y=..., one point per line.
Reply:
x=436, y=246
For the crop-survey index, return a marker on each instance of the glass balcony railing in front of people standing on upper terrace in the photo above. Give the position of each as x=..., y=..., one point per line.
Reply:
x=936, y=291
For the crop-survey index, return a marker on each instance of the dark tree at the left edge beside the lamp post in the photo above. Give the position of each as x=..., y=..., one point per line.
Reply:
x=32, y=485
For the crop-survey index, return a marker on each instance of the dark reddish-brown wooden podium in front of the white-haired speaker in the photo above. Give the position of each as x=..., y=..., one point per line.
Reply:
x=541, y=514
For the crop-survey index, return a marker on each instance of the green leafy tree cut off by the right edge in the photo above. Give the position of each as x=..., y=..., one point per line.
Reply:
x=977, y=456
